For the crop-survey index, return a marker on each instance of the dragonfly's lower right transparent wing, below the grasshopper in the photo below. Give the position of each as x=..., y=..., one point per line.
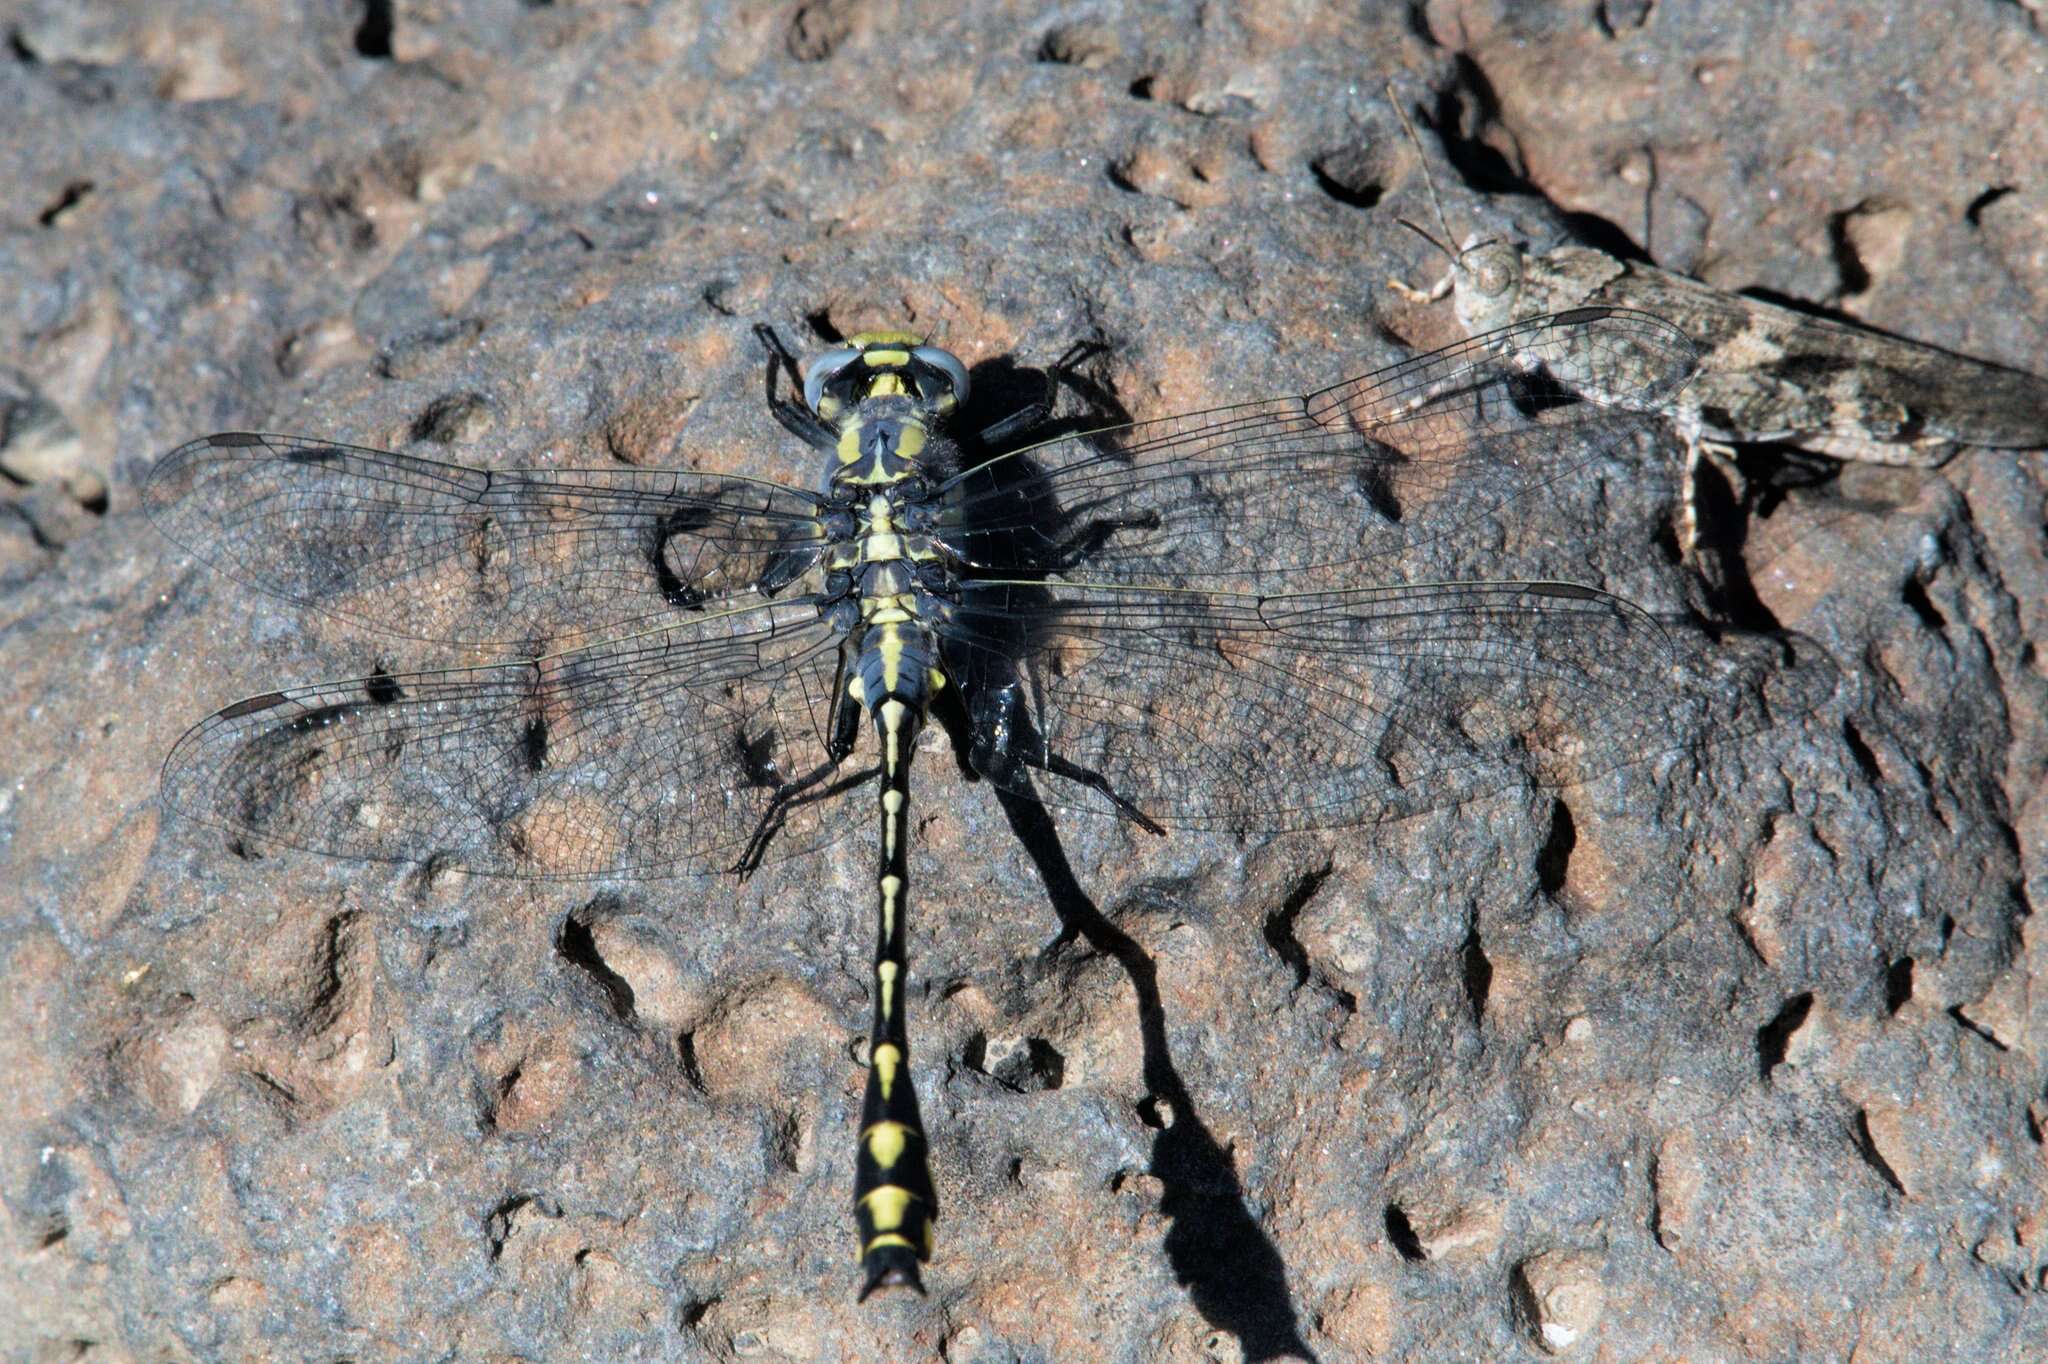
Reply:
x=1314, y=710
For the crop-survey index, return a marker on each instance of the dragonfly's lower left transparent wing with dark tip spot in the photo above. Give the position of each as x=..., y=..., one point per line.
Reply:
x=640, y=757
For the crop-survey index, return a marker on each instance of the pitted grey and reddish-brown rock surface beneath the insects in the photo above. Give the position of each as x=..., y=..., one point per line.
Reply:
x=1725, y=1056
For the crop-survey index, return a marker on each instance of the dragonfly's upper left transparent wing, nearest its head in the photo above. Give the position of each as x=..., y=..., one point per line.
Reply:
x=521, y=560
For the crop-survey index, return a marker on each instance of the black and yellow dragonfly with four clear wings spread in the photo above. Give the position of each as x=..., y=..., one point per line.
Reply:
x=1203, y=622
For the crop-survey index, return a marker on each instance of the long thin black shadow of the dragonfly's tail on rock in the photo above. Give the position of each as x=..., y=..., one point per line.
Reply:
x=1230, y=1267
